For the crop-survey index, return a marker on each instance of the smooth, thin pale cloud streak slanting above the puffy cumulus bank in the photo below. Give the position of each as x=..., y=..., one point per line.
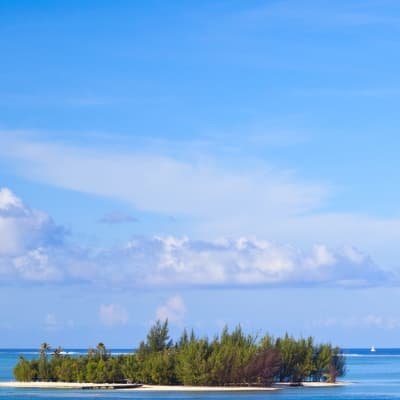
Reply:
x=196, y=186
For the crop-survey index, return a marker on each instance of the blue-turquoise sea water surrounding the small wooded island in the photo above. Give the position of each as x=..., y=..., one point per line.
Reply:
x=374, y=376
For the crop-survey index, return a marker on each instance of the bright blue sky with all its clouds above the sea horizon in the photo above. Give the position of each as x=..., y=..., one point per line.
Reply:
x=215, y=162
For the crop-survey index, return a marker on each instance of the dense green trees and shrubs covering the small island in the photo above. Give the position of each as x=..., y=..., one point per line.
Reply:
x=233, y=358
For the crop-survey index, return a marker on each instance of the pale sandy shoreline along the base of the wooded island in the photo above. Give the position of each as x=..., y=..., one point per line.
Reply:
x=163, y=388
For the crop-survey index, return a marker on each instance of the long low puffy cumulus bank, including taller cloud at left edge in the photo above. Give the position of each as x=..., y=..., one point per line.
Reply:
x=34, y=249
